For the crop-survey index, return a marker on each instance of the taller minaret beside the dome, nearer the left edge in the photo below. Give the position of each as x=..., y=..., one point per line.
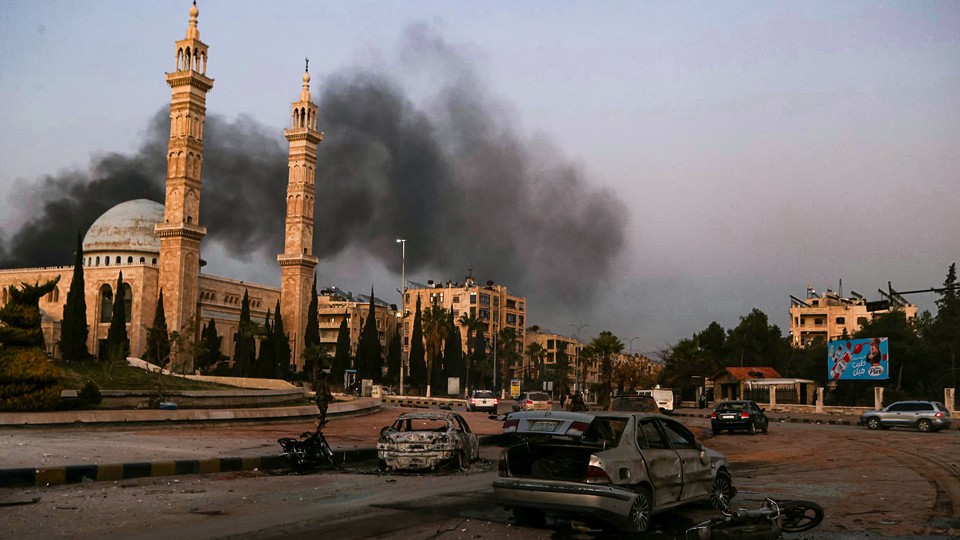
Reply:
x=180, y=233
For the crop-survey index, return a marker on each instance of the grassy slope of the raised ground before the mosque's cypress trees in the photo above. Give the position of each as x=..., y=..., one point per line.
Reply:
x=74, y=375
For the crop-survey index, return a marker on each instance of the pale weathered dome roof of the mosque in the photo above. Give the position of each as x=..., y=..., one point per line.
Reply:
x=128, y=226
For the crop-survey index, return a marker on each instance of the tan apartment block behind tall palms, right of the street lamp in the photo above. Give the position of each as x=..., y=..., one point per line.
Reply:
x=492, y=304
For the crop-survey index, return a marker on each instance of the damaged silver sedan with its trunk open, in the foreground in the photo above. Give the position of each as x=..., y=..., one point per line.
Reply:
x=615, y=468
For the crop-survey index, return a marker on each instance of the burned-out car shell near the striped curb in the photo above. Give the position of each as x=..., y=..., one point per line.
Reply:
x=427, y=440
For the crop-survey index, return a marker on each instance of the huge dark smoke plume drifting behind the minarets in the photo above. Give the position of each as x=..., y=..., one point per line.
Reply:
x=452, y=176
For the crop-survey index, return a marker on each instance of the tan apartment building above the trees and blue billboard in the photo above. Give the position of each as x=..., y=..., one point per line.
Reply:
x=828, y=316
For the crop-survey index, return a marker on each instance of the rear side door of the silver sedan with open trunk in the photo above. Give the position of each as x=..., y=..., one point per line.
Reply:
x=664, y=469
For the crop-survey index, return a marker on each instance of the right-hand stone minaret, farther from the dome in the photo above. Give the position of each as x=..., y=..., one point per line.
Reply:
x=297, y=261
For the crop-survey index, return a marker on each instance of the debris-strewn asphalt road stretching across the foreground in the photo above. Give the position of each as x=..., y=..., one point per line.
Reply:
x=897, y=483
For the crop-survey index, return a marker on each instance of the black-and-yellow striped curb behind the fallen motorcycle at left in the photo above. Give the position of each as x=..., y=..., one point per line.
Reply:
x=76, y=474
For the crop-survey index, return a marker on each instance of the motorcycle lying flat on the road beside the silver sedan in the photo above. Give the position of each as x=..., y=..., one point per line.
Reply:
x=765, y=523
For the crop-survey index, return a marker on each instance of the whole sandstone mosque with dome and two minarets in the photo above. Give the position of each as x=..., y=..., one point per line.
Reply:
x=157, y=246
